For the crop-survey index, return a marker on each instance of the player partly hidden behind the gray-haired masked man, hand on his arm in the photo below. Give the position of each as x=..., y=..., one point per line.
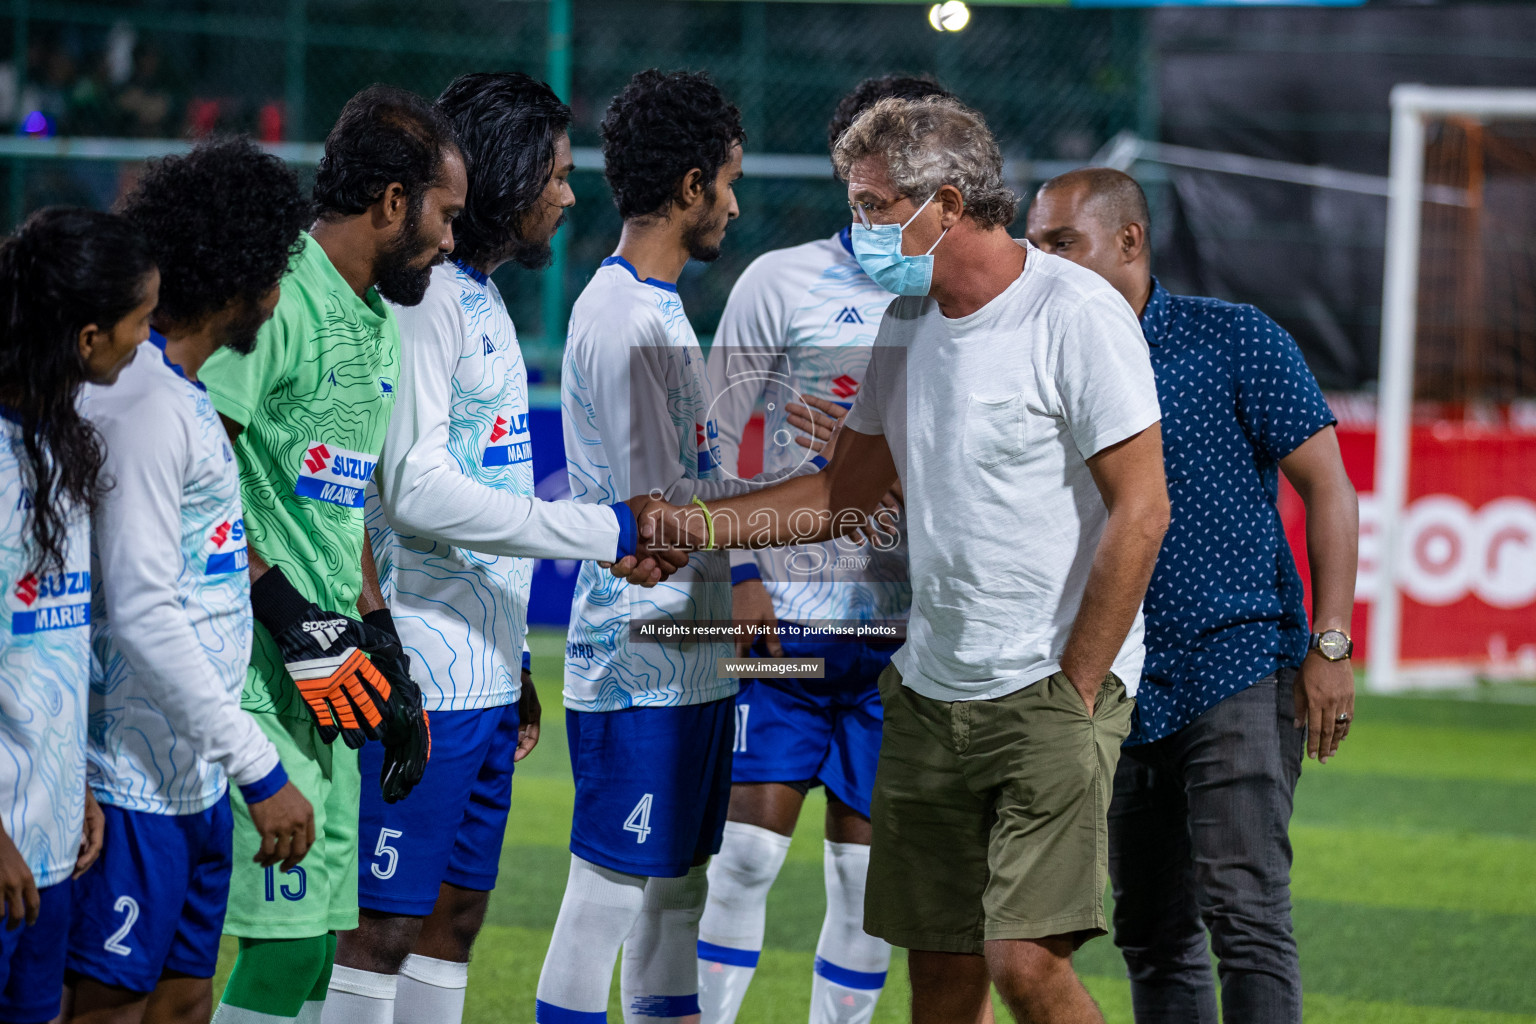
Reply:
x=799, y=323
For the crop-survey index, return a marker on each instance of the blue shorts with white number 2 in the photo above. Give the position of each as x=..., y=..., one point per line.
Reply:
x=156, y=899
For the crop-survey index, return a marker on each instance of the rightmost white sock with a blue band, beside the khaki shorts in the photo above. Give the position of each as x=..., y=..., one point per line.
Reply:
x=850, y=965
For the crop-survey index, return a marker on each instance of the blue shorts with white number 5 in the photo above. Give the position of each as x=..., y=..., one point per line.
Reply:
x=452, y=824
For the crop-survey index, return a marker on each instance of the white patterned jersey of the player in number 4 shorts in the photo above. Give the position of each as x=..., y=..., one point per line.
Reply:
x=635, y=403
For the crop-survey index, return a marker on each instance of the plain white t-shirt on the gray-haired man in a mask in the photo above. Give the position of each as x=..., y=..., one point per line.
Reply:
x=990, y=420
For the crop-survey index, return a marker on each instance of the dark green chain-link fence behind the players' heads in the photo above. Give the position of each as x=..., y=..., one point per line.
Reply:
x=1054, y=85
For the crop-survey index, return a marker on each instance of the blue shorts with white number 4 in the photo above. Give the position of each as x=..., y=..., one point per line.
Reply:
x=652, y=785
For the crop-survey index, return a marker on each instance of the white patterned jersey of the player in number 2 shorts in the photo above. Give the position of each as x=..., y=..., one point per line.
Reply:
x=171, y=609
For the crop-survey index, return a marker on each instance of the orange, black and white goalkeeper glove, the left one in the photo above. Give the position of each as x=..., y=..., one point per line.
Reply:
x=343, y=692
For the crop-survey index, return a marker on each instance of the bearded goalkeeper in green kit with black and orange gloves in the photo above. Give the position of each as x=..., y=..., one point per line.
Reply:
x=308, y=412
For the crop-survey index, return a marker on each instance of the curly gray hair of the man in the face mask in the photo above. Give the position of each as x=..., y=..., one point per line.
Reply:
x=930, y=144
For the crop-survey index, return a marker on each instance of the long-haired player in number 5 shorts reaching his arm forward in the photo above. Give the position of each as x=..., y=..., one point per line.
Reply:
x=455, y=527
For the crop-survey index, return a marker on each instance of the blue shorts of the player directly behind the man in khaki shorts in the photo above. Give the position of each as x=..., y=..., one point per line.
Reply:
x=821, y=730
